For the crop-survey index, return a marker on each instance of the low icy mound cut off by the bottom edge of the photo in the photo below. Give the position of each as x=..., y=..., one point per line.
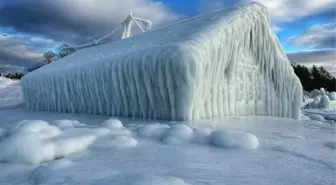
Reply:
x=135, y=179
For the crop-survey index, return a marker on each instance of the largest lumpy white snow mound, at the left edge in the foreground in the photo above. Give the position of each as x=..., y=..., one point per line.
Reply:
x=36, y=141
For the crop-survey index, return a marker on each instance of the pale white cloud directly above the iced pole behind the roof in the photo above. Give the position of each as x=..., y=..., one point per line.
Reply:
x=111, y=11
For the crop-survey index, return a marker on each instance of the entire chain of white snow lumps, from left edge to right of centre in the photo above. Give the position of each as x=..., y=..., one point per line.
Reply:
x=37, y=141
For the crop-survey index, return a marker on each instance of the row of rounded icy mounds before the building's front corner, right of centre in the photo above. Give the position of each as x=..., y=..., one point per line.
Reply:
x=184, y=134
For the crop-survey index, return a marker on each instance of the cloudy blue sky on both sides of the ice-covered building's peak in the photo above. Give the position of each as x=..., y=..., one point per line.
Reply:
x=304, y=27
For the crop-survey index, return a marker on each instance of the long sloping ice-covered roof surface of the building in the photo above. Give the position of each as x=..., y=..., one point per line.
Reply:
x=179, y=32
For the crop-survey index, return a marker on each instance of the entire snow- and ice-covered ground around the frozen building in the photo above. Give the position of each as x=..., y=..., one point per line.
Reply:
x=52, y=148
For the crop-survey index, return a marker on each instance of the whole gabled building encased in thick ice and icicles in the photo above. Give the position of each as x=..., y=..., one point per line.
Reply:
x=225, y=63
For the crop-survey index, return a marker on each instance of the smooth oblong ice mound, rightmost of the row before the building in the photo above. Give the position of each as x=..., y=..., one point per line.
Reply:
x=232, y=139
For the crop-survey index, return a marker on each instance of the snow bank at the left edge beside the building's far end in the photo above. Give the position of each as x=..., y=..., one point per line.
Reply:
x=10, y=93
